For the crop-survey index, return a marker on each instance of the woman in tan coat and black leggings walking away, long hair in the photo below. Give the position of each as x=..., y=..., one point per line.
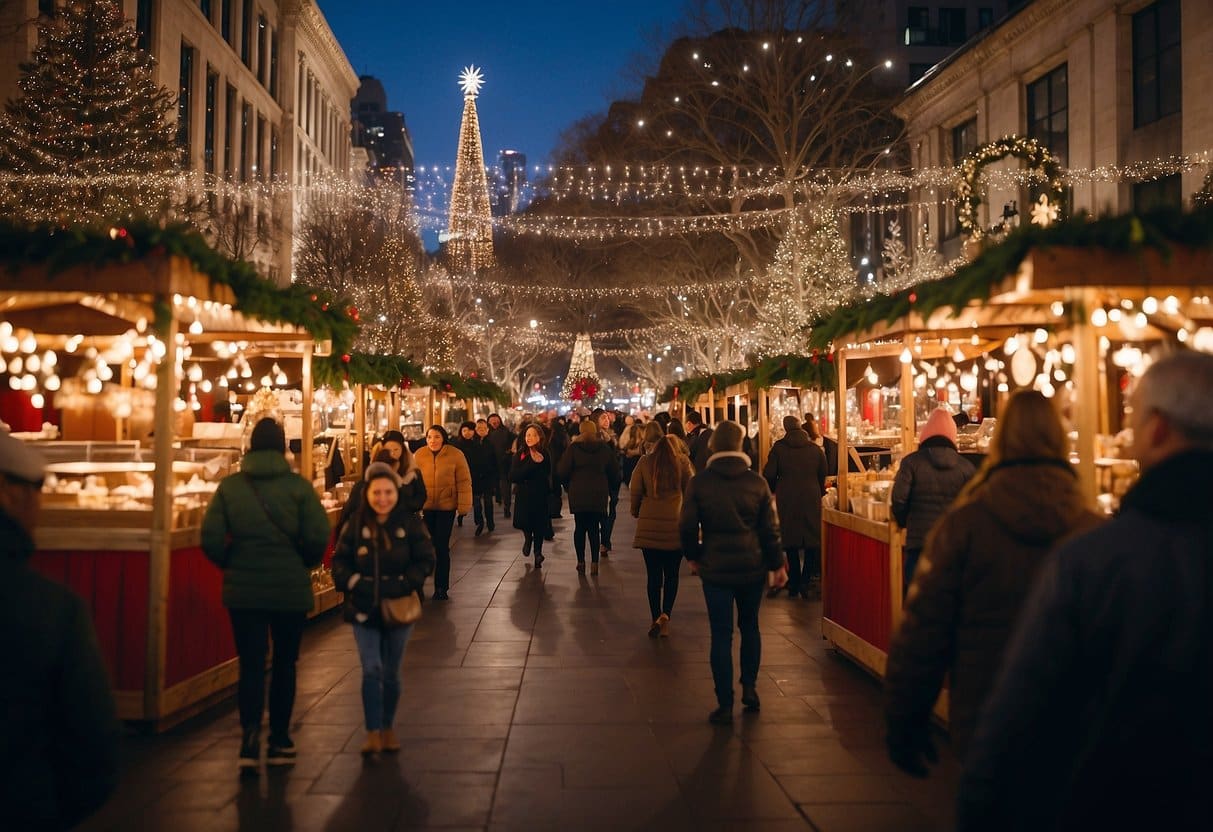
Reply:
x=658, y=487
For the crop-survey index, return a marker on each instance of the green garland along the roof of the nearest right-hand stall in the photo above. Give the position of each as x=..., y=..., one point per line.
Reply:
x=973, y=282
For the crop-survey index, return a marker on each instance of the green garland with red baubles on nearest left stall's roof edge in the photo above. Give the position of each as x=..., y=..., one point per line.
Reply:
x=60, y=249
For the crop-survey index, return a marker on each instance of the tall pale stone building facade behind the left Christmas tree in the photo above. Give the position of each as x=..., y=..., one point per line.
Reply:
x=264, y=98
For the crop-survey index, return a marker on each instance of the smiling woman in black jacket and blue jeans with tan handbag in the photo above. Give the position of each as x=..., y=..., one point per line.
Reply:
x=384, y=552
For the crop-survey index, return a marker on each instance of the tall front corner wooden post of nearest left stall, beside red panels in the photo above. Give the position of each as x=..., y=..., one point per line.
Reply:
x=161, y=544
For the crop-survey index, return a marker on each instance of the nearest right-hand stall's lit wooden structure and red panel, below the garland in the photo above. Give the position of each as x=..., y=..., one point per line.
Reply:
x=1066, y=312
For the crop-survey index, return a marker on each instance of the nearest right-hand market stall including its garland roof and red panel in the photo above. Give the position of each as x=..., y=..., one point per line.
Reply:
x=1075, y=323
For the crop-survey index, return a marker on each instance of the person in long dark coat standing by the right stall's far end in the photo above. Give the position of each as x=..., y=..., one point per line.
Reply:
x=796, y=472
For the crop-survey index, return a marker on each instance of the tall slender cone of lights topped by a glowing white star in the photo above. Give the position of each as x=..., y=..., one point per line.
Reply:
x=470, y=229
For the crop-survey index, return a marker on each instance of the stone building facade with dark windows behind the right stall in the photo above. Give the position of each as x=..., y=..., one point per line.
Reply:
x=1100, y=82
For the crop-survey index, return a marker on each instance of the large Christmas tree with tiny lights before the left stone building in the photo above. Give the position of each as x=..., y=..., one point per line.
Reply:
x=89, y=109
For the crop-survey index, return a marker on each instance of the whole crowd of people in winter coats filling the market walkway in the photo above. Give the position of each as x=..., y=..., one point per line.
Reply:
x=1078, y=651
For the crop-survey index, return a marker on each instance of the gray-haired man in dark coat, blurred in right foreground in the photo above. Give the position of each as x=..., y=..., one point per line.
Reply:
x=1103, y=713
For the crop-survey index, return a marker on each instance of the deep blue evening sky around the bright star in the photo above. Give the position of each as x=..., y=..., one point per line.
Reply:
x=546, y=65
